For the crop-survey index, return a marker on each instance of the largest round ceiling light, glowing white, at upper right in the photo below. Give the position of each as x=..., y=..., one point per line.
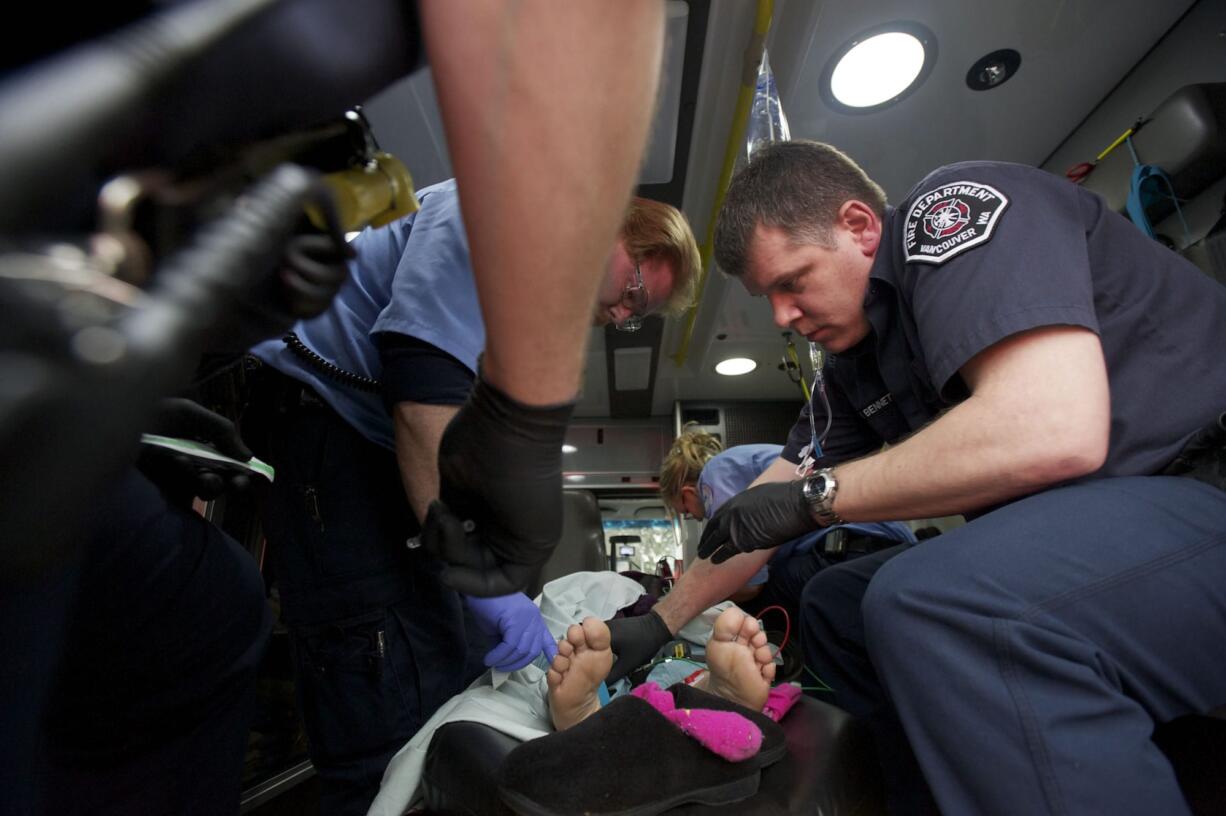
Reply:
x=880, y=68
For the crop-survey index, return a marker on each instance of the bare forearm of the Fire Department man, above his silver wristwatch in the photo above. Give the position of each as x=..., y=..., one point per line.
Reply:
x=1039, y=415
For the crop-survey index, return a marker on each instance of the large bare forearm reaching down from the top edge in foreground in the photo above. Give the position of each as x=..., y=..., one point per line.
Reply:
x=546, y=166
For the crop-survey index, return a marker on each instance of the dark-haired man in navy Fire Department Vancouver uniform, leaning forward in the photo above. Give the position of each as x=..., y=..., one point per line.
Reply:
x=1035, y=363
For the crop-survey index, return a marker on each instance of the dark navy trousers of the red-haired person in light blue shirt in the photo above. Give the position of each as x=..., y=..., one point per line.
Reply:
x=378, y=640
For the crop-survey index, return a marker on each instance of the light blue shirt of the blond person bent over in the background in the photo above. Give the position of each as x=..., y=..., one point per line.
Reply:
x=729, y=474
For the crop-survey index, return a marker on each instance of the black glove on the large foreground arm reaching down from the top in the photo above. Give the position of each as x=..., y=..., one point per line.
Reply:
x=500, y=515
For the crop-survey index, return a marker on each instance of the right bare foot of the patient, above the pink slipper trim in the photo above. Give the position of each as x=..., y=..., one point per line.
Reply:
x=740, y=661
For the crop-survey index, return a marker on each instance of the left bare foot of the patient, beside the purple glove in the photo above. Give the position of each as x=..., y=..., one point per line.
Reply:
x=584, y=661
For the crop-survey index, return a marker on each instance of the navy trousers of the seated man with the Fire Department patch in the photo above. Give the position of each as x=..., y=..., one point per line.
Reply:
x=1029, y=656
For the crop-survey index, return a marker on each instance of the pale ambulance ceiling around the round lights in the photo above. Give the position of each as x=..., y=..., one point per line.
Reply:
x=1089, y=69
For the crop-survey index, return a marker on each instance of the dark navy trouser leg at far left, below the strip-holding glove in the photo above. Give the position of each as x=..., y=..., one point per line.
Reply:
x=153, y=688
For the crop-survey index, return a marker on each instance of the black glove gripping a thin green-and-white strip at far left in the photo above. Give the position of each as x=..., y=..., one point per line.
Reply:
x=180, y=476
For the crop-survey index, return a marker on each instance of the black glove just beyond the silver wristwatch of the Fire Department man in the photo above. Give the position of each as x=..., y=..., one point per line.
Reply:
x=760, y=519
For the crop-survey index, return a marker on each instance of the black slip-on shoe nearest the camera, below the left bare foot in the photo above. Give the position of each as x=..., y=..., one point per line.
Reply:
x=626, y=760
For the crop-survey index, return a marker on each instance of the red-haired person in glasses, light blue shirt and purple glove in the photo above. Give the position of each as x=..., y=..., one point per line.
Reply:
x=379, y=641
